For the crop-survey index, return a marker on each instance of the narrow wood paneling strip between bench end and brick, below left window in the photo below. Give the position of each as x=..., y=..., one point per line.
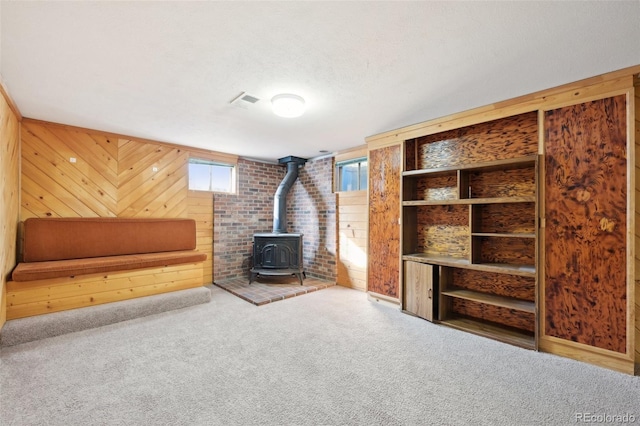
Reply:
x=200, y=208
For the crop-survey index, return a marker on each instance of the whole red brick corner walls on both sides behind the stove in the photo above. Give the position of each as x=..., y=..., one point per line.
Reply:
x=311, y=210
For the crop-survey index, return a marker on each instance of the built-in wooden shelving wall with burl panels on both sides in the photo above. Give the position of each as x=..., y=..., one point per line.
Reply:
x=518, y=218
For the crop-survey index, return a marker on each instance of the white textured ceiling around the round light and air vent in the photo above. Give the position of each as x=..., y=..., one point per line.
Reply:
x=168, y=70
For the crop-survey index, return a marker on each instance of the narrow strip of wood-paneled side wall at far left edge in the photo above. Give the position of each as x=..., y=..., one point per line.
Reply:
x=10, y=193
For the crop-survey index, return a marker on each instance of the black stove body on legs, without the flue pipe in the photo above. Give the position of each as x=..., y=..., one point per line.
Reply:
x=277, y=254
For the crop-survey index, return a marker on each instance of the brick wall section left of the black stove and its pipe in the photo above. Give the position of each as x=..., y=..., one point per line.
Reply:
x=237, y=217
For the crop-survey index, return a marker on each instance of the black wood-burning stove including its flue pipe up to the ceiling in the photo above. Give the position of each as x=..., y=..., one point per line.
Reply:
x=279, y=253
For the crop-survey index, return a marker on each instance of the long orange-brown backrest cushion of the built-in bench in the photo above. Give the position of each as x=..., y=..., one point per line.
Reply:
x=77, y=238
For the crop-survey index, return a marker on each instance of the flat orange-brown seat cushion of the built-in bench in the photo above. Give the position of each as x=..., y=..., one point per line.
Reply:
x=30, y=271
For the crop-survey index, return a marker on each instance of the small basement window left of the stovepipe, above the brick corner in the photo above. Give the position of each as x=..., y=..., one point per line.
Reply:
x=207, y=175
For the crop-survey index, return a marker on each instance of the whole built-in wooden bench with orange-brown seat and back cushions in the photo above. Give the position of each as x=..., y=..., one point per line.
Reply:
x=70, y=263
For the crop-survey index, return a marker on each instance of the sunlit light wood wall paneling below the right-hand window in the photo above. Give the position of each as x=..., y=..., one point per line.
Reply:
x=352, y=239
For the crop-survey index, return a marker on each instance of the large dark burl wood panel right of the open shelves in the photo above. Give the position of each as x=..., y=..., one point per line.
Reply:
x=586, y=216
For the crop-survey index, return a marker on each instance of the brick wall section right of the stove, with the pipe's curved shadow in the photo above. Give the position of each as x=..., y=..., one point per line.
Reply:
x=311, y=210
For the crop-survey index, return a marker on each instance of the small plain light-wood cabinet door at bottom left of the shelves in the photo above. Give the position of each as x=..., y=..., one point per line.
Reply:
x=420, y=288
